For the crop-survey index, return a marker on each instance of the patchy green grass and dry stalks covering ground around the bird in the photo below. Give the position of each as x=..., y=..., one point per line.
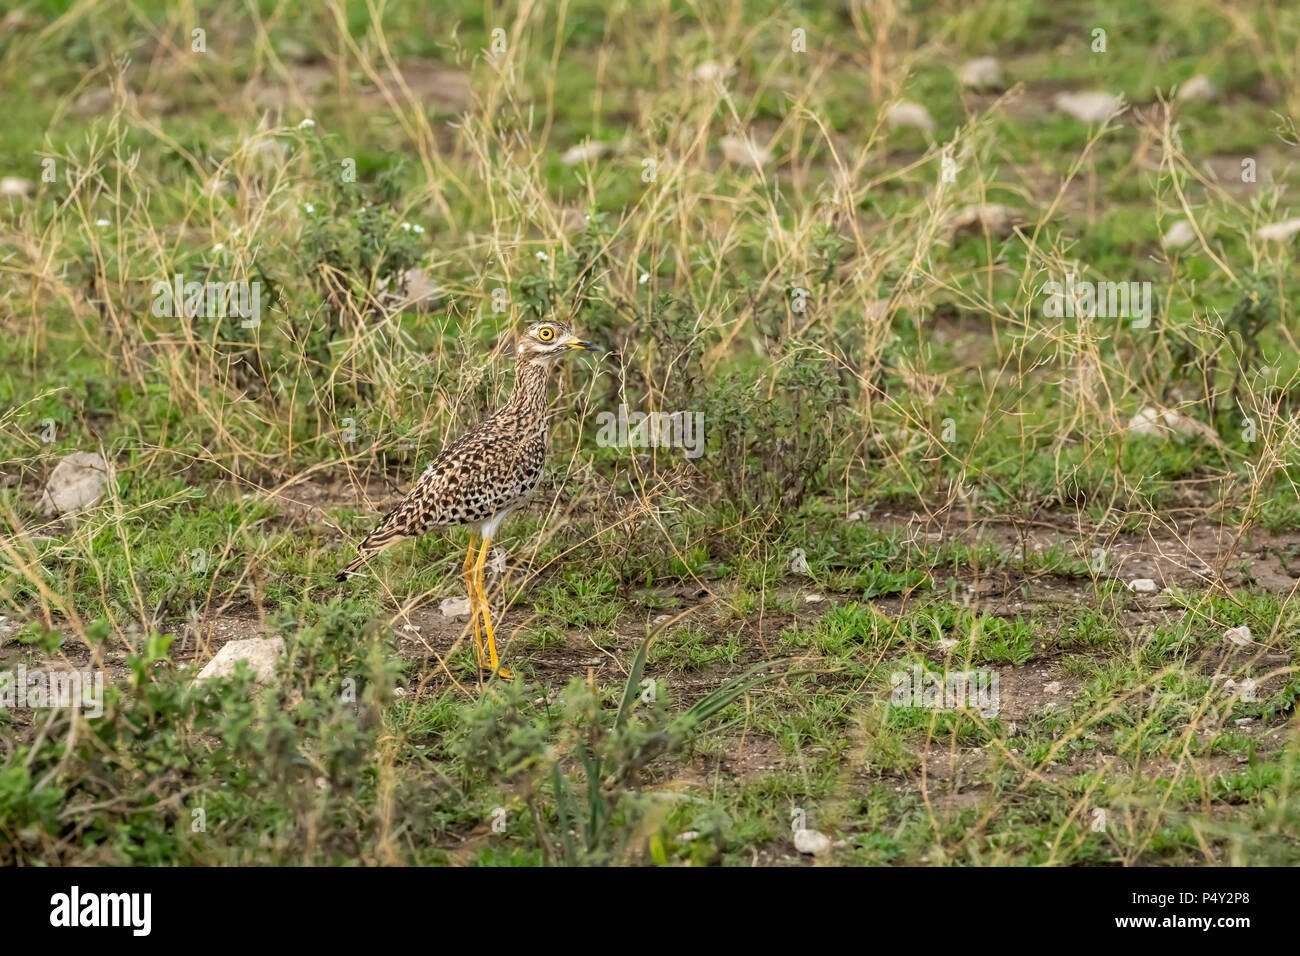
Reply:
x=951, y=478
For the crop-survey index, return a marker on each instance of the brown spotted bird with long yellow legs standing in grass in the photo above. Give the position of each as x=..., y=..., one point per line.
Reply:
x=483, y=477
